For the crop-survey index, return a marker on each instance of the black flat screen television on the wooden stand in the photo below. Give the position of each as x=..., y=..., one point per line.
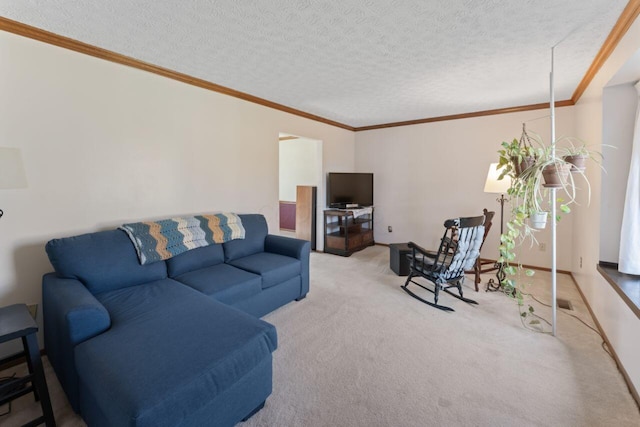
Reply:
x=344, y=188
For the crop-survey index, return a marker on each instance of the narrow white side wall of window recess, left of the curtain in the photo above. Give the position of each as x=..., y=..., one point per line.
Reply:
x=619, y=104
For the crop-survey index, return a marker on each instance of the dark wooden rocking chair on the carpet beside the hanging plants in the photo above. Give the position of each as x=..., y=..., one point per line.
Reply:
x=458, y=251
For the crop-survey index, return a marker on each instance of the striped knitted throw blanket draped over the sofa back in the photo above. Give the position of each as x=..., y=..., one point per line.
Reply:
x=160, y=240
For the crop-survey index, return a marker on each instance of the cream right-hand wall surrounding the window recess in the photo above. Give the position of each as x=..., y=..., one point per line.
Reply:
x=620, y=324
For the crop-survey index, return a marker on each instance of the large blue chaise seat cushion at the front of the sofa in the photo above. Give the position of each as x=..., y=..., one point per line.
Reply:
x=169, y=352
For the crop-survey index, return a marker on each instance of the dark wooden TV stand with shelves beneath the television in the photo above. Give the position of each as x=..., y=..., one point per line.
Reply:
x=345, y=234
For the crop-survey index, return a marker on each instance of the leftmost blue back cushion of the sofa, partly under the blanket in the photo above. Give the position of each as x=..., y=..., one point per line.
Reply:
x=102, y=261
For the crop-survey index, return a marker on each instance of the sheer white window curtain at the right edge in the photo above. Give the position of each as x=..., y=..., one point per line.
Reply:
x=629, y=258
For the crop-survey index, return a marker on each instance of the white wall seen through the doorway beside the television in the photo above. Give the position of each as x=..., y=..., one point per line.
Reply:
x=300, y=164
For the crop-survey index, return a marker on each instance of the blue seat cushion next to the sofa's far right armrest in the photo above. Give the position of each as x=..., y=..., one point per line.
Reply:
x=273, y=268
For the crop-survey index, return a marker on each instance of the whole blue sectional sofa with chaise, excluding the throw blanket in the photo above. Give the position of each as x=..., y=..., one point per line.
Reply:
x=172, y=343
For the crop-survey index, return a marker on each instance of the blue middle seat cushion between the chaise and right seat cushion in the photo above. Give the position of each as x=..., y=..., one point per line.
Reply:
x=223, y=282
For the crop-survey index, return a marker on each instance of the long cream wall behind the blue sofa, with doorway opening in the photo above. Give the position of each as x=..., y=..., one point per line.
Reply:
x=105, y=144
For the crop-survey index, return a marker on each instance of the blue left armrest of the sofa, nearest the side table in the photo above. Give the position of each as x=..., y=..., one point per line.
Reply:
x=71, y=315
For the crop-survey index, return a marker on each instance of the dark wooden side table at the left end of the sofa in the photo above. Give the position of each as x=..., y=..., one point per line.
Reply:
x=16, y=322
